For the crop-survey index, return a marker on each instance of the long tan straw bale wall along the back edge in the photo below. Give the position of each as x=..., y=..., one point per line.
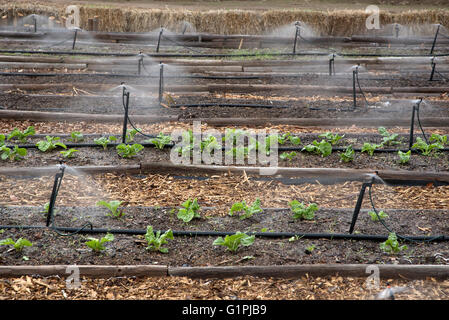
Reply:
x=335, y=23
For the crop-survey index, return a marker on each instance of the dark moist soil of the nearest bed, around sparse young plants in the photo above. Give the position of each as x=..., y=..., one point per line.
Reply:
x=51, y=248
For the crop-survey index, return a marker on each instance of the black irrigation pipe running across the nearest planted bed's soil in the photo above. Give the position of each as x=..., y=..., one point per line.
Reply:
x=275, y=235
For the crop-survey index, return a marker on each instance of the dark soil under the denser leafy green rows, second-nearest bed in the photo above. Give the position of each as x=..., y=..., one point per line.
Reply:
x=95, y=156
